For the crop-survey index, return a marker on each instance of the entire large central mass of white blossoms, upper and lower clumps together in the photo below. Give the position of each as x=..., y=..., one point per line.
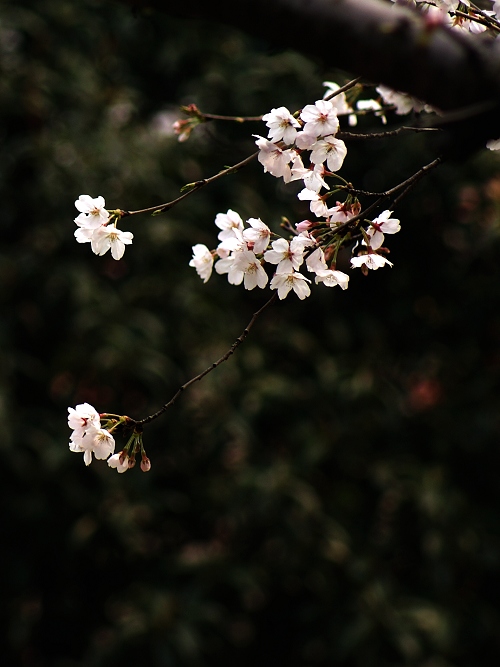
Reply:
x=244, y=251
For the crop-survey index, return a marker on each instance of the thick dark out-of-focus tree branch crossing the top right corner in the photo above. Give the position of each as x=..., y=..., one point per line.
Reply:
x=384, y=43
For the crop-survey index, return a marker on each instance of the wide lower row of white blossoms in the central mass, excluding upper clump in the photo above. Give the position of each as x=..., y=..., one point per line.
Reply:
x=244, y=251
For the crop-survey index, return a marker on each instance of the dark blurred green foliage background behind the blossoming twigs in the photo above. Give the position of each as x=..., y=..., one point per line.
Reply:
x=330, y=495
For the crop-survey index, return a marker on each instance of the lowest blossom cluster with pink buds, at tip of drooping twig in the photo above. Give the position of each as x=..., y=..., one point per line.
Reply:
x=90, y=436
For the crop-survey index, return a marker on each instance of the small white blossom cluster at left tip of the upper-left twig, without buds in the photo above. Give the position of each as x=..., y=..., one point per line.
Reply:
x=97, y=226
